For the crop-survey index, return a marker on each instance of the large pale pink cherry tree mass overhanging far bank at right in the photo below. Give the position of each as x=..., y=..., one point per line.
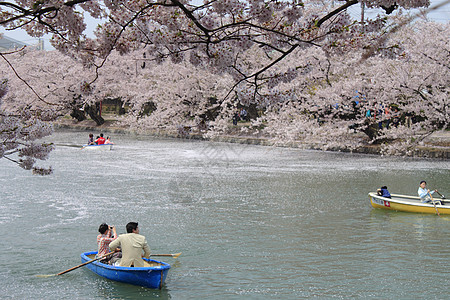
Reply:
x=404, y=87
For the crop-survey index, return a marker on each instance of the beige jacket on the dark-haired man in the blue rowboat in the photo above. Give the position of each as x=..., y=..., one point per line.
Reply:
x=132, y=245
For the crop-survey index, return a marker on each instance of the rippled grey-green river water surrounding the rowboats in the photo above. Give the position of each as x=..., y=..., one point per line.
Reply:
x=251, y=222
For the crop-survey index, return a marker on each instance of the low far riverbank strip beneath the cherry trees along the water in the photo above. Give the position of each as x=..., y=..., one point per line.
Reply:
x=435, y=146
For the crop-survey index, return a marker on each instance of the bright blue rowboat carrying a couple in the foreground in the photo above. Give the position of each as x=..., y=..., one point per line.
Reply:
x=152, y=275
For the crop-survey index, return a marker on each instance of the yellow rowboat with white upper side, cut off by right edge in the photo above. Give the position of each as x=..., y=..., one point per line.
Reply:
x=409, y=204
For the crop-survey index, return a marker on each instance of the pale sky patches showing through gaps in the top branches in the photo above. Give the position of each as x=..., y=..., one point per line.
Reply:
x=440, y=15
